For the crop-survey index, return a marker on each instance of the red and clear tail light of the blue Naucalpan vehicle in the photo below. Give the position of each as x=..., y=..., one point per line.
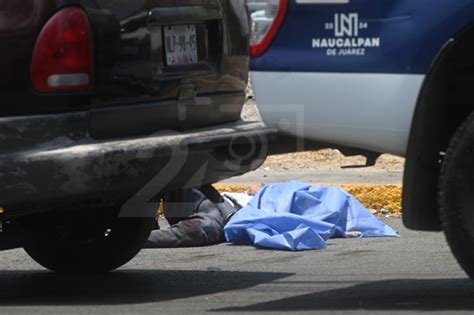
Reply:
x=267, y=17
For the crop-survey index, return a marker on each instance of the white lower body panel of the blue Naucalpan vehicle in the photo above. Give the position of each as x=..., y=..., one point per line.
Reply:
x=370, y=111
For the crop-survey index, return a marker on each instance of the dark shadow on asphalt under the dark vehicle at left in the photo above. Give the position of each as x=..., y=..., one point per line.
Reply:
x=121, y=287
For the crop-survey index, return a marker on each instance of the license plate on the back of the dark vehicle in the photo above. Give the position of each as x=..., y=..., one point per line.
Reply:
x=180, y=45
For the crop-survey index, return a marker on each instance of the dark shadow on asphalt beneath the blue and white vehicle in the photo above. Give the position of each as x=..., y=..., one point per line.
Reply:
x=409, y=294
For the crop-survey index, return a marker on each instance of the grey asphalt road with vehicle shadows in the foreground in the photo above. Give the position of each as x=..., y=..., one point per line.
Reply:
x=414, y=273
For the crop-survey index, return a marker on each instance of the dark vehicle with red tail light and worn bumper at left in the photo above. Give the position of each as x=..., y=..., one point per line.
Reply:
x=105, y=105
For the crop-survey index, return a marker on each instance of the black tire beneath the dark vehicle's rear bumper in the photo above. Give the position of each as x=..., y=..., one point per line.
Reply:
x=86, y=243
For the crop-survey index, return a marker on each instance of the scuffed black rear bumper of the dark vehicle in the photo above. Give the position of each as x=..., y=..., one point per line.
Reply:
x=48, y=170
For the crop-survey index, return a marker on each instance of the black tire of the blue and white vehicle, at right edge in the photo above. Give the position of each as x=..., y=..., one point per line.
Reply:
x=456, y=195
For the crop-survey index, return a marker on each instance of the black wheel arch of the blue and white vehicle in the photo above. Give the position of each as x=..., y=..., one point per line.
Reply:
x=445, y=100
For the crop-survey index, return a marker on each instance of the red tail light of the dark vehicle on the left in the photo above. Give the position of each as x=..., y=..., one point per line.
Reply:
x=63, y=56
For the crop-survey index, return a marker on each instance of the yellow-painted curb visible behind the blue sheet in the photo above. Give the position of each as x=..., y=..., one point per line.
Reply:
x=378, y=198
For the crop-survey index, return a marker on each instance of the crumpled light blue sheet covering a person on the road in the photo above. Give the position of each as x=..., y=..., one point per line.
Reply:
x=296, y=216
